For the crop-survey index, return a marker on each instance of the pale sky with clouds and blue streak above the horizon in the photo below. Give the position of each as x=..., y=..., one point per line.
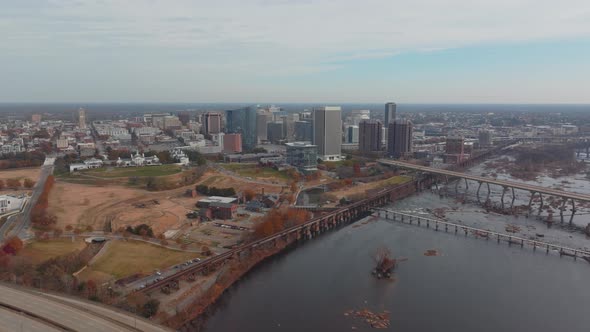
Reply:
x=419, y=51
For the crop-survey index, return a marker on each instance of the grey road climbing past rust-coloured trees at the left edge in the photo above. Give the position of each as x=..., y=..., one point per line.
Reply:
x=22, y=221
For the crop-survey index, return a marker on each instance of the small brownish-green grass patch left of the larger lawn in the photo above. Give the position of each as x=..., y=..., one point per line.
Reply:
x=40, y=251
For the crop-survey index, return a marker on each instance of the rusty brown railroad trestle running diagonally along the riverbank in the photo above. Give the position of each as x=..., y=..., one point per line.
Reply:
x=308, y=230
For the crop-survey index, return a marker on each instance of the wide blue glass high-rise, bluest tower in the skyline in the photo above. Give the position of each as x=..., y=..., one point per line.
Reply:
x=243, y=121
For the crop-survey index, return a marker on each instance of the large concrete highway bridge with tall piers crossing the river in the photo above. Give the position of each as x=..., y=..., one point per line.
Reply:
x=533, y=189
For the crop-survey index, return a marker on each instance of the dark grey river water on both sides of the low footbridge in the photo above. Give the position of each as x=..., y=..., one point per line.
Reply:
x=473, y=285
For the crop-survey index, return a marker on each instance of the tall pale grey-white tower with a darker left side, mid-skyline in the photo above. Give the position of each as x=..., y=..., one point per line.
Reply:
x=327, y=132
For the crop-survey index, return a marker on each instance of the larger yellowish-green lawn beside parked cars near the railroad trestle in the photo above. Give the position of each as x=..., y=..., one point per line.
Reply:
x=124, y=258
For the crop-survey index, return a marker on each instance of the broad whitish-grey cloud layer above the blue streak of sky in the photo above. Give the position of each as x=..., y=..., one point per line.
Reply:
x=270, y=37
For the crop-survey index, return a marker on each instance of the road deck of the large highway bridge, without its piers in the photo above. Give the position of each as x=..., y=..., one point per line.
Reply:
x=502, y=183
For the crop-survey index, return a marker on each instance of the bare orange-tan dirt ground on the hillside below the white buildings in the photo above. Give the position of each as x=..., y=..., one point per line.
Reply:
x=83, y=205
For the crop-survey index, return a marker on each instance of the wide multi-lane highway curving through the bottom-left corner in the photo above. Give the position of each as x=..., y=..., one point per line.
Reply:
x=29, y=310
